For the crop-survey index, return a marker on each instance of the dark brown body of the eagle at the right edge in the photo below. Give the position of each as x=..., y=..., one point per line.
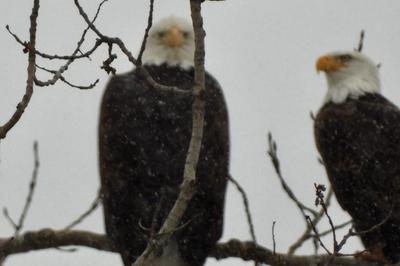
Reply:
x=359, y=141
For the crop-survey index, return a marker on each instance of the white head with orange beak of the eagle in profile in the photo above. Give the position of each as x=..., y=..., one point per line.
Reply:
x=349, y=74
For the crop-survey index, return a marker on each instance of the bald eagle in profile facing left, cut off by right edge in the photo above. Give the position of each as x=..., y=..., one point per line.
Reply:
x=357, y=132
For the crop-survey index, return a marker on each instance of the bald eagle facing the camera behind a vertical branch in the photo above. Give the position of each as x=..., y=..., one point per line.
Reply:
x=144, y=135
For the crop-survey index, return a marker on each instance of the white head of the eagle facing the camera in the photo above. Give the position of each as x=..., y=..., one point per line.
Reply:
x=171, y=42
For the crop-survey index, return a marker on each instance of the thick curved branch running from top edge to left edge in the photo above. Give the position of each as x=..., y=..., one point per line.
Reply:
x=31, y=74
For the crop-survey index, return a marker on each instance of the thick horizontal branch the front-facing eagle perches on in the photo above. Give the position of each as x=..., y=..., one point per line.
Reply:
x=248, y=251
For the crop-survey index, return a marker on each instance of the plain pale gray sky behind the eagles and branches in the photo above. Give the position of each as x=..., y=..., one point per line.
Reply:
x=261, y=51
